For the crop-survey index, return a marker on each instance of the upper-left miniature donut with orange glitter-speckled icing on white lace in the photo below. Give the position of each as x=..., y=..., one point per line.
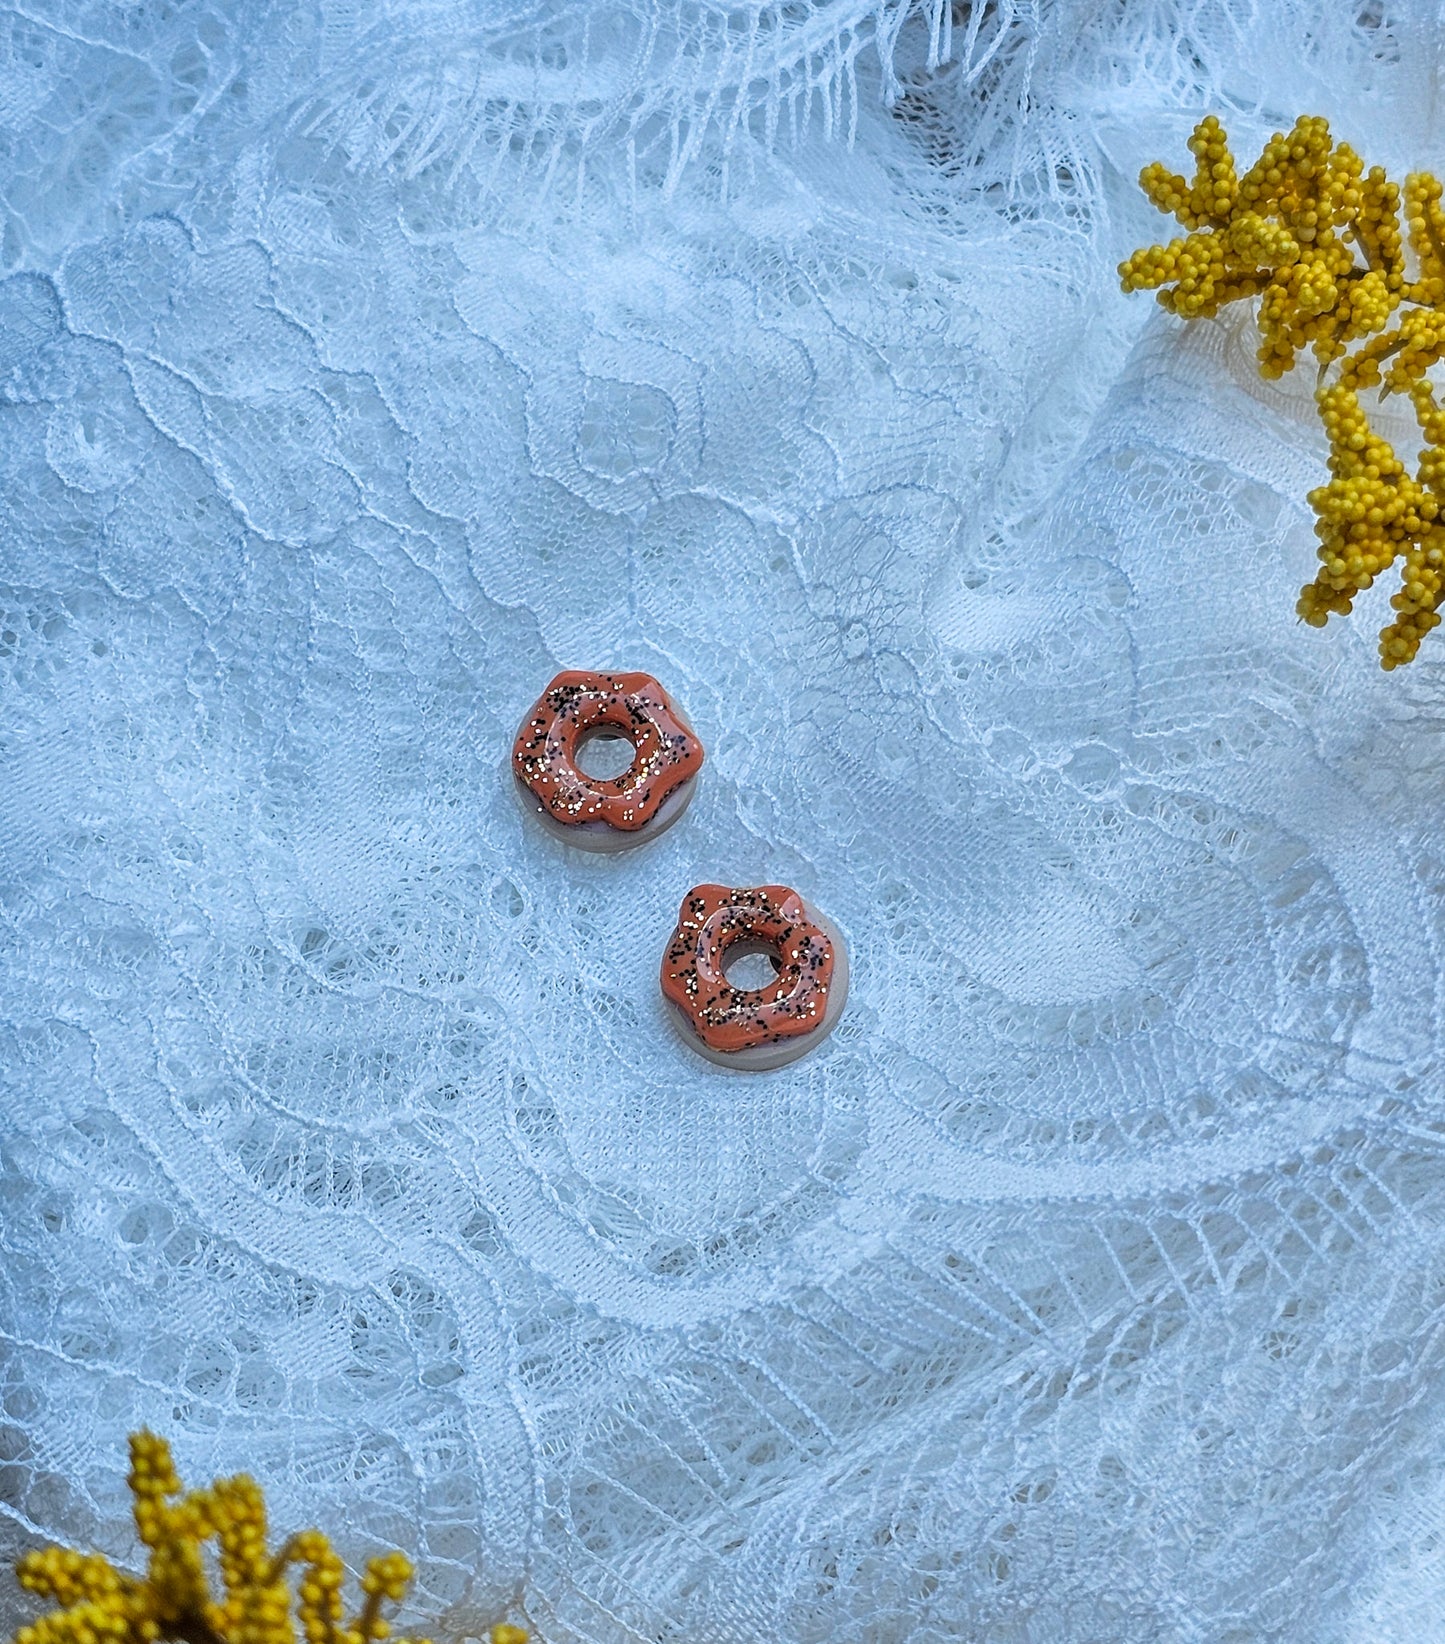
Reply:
x=606, y=813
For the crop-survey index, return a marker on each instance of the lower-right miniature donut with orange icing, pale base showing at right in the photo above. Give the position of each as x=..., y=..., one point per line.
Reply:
x=754, y=1028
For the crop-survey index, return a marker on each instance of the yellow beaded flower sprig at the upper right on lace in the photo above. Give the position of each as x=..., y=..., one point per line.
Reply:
x=1319, y=241
